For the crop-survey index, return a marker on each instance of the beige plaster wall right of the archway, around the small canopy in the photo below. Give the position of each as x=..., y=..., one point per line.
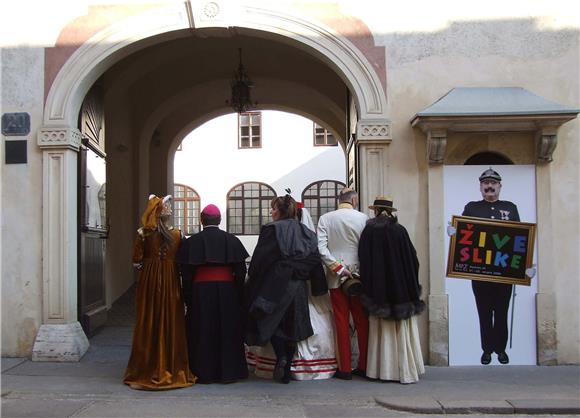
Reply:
x=424, y=64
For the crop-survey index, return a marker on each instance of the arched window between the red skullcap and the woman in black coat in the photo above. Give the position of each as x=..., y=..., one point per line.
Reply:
x=249, y=207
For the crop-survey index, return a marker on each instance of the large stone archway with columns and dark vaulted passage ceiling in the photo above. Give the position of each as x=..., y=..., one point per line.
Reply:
x=296, y=63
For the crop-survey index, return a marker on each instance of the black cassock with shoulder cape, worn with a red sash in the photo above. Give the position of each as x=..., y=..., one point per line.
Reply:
x=214, y=317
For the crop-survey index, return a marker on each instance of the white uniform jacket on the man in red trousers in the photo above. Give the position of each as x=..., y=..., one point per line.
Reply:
x=338, y=236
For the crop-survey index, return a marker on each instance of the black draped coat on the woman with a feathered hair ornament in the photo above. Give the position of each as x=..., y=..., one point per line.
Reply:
x=276, y=298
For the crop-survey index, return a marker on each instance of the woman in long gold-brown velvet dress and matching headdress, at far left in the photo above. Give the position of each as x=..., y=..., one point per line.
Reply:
x=159, y=354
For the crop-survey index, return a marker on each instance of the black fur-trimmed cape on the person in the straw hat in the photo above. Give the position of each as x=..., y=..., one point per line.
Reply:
x=389, y=270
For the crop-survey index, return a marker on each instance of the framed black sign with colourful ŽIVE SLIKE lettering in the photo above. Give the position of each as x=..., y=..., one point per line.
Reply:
x=491, y=250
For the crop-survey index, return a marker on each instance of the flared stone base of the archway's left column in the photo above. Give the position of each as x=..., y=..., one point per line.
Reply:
x=60, y=342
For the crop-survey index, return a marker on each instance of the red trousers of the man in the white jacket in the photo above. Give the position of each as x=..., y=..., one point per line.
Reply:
x=342, y=305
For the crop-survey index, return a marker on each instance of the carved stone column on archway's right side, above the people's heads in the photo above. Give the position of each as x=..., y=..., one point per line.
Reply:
x=372, y=139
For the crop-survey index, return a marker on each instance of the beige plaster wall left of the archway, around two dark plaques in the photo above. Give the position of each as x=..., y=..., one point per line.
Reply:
x=21, y=90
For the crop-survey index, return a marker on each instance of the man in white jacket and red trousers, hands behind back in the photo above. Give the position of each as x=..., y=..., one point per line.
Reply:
x=338, y=236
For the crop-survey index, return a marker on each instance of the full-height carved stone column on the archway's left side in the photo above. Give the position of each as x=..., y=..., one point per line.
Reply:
x=60, y=337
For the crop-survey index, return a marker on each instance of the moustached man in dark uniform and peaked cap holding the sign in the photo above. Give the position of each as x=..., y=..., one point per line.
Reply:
x=492, y=299
